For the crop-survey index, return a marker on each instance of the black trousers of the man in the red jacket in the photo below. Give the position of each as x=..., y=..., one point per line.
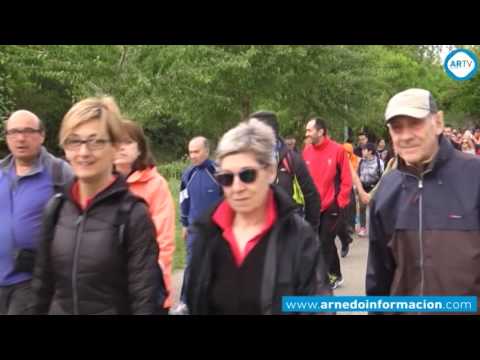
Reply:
x=329, y=225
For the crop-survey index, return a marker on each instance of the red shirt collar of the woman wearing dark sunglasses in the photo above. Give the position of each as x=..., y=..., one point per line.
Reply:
x=224, y=216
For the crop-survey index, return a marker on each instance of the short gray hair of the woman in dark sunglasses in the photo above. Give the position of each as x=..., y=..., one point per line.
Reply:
x=252, y=136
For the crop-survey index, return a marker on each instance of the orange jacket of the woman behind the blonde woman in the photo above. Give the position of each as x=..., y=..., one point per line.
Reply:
x=153, y=187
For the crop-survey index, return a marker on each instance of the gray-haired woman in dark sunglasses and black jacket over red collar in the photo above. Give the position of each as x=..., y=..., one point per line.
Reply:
x=251, y=248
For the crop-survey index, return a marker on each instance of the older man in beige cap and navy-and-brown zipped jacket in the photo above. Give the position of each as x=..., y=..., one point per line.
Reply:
x=425, y=218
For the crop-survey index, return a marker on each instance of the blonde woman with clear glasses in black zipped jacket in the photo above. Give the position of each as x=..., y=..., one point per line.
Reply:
x=91, y=262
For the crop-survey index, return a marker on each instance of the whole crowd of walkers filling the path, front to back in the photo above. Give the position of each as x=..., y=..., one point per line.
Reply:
x=94, y=233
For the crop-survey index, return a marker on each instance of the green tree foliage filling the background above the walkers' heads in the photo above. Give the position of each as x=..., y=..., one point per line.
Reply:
x=179, y=91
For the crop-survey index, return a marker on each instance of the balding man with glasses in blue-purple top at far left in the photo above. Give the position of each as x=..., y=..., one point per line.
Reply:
x=29, y=176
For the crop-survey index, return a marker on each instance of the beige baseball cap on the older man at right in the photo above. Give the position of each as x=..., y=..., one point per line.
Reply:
x=417, y=103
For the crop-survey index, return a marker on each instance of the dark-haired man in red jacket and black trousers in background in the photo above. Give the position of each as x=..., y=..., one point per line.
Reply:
x=328, y=165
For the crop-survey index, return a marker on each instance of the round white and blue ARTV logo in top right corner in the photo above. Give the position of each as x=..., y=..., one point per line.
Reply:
x=461, y=64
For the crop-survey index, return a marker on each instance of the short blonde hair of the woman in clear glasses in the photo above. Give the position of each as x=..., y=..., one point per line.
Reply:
x=104, y=109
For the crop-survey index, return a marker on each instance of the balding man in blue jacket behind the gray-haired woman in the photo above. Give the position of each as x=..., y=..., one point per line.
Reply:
x=198, y=192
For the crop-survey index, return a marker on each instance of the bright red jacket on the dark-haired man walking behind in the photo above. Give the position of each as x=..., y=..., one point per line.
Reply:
x=322, y=161
